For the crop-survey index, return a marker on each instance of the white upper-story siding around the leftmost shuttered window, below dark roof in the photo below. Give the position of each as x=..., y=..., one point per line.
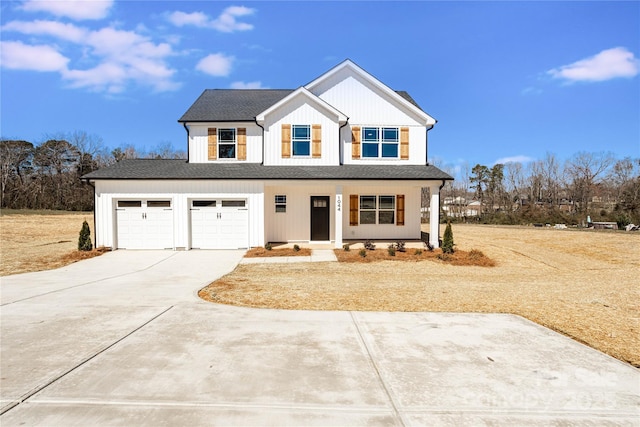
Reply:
x=199, y=138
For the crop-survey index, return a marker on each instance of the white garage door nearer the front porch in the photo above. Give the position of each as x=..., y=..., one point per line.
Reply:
x=219, y=224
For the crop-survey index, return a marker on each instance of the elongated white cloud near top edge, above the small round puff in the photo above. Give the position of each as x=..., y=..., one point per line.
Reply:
x=227, y=21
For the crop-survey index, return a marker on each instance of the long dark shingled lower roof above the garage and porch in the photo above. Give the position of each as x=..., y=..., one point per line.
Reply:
x=180, y=169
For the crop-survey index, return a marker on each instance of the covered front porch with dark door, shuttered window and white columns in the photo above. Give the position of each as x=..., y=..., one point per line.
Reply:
x=334, y=213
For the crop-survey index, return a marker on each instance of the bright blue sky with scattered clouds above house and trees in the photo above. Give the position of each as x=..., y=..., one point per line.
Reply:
x=505, y=80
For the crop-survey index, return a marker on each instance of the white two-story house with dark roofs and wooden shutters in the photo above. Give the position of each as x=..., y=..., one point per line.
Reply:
x=342, y=157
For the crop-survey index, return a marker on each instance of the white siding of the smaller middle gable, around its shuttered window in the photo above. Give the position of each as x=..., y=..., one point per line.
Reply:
x=300, y=111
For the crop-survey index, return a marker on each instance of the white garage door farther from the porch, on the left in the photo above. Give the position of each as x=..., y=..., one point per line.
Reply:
x=144, y=224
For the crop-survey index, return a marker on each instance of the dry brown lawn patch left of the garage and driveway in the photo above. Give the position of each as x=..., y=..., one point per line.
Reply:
x=42, y=241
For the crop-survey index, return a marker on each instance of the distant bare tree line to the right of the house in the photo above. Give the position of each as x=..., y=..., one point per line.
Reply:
x=588, y=185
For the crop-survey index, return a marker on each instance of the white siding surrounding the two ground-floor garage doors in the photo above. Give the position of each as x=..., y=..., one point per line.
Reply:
x=181, y=194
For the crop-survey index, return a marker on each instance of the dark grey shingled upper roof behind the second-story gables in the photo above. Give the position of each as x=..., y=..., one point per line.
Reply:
x=240, y=105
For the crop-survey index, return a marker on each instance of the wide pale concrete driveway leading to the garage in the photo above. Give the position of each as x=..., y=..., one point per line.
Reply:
x=123, y=339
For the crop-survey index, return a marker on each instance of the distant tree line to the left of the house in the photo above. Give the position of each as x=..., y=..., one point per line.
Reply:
x=47, y=175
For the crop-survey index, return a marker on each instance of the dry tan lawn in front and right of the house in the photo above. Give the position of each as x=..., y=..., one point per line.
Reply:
x=581, y=283
